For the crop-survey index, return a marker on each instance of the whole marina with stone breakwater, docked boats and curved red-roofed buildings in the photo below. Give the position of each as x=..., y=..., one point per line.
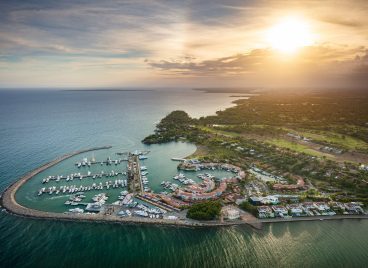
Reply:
x=125, y=195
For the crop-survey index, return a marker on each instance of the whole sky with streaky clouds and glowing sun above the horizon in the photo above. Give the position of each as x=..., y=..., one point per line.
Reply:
x=148, y=43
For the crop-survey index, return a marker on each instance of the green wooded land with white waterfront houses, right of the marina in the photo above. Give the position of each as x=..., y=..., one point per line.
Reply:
x=304, y=155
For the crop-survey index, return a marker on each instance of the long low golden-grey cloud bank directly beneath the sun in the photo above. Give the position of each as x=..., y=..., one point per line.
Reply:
x=256, y=60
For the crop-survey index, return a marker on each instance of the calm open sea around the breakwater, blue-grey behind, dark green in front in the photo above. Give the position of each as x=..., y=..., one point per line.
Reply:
x=38, y=126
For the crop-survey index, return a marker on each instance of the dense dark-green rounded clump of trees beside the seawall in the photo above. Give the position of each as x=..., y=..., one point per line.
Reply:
x=209, y=210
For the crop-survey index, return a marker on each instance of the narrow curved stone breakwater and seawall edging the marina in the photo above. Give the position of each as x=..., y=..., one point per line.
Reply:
x=9, y=203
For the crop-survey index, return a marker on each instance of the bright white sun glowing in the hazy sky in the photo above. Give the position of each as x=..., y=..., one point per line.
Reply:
x=289, y=35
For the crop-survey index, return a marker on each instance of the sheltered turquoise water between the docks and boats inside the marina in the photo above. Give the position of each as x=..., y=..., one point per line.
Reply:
x=159, y=165
